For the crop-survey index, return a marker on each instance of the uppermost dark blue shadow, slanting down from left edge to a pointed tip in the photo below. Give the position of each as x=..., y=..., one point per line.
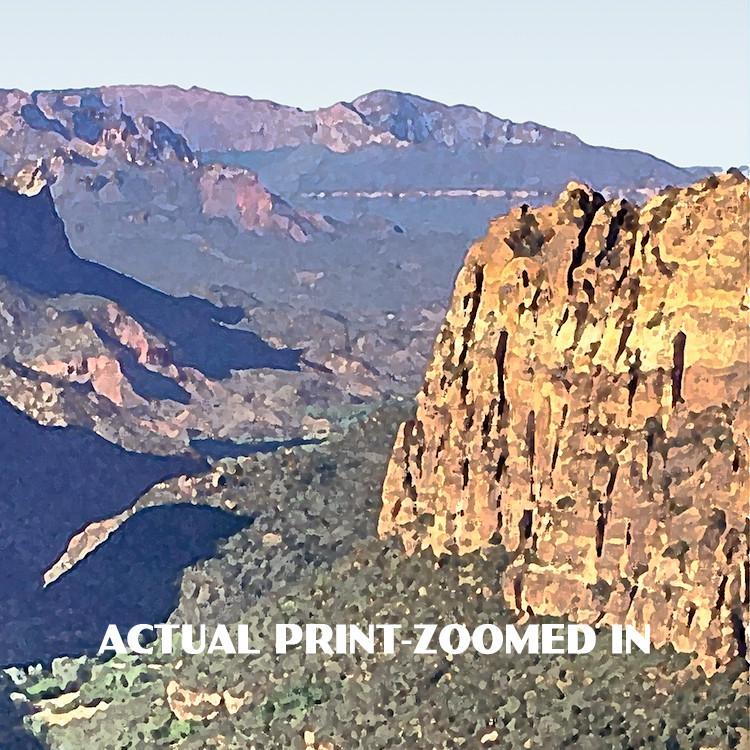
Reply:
x=34, y=252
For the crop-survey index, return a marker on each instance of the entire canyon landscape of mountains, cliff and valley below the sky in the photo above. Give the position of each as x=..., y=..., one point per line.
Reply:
x=215, y=313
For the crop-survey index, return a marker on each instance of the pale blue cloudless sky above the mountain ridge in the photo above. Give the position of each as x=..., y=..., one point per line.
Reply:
x=671, y=77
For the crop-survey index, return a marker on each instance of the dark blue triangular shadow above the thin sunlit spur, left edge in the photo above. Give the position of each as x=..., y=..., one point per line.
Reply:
x=58, y=479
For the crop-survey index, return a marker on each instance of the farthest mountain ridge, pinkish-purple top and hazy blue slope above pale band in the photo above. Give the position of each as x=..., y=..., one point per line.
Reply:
x=405, y=141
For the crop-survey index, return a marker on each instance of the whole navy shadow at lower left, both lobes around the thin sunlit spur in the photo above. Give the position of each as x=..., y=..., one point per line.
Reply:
x=55, y=481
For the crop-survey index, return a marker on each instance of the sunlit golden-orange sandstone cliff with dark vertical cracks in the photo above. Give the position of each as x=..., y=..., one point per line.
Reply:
x=586, y=406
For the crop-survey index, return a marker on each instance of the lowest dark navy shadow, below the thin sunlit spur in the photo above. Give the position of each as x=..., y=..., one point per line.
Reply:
x=132, y=578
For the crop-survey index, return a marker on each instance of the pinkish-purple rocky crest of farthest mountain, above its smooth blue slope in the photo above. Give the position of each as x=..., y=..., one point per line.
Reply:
x=385, y=117
